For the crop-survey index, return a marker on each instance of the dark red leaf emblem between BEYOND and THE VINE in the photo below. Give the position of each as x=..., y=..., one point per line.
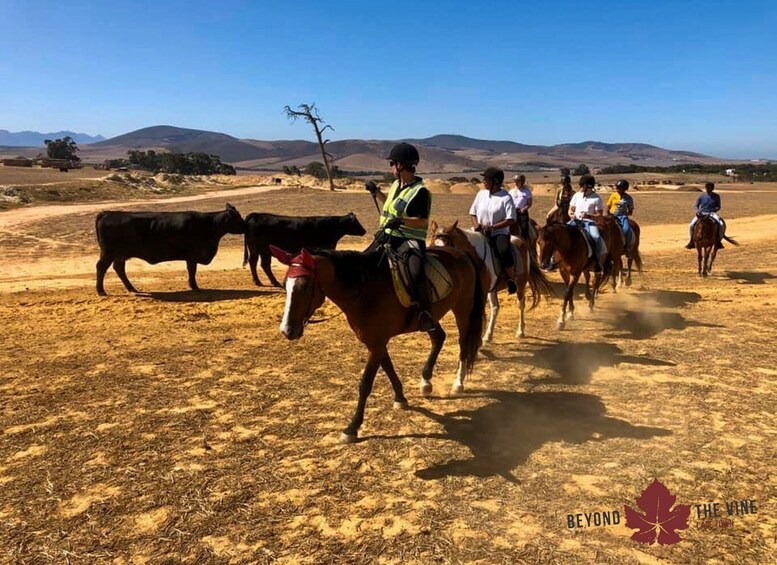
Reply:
x=659, y=520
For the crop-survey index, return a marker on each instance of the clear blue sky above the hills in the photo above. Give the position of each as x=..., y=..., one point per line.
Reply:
x=696, y=75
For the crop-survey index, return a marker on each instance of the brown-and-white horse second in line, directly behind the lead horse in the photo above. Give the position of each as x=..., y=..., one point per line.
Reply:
x=477, y=246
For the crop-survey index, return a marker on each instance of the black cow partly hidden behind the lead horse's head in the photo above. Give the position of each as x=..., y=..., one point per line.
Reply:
x=292, y=234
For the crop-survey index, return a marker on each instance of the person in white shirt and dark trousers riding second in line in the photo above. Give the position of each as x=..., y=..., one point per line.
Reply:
x=492, y=213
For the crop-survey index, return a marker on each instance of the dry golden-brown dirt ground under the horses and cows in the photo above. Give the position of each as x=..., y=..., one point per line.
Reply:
x=175, y=426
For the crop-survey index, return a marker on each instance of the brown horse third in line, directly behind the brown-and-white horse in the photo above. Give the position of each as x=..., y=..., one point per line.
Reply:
x=569, y=245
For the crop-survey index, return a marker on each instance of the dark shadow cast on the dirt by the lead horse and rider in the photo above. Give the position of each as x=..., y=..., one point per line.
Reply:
x=503, y=434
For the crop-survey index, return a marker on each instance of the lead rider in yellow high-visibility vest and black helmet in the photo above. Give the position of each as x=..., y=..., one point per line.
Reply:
x=404, y=223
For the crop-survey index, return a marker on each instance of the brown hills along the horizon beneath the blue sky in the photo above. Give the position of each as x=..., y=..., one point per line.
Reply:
x=440, y=153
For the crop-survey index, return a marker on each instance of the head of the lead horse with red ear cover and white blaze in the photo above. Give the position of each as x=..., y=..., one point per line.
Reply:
x=303, y=293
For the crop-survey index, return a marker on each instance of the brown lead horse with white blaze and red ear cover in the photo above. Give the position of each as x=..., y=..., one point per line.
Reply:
x=360, y=285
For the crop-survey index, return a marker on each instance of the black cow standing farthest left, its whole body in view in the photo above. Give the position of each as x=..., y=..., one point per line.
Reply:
x=161, y=236
